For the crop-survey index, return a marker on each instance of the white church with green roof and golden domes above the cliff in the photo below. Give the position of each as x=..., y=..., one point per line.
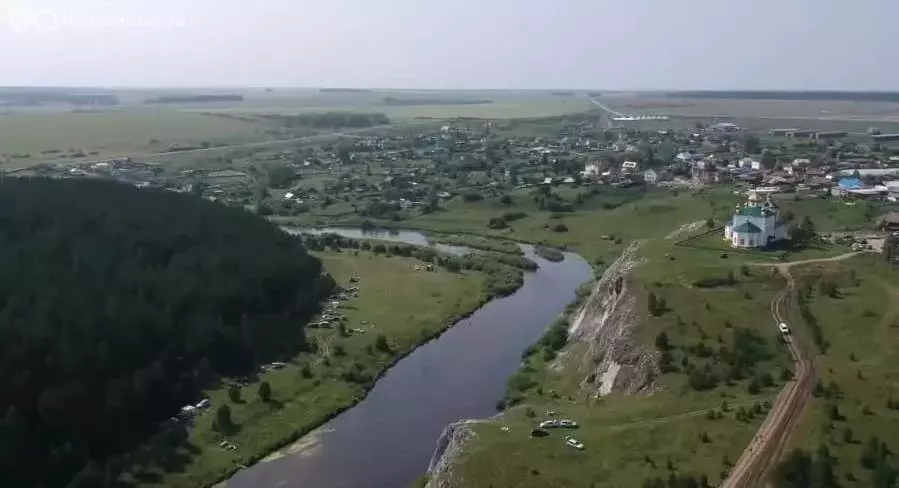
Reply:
x=755, y=224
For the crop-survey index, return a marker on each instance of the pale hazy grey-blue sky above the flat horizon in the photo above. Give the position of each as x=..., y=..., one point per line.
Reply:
x=458, y=44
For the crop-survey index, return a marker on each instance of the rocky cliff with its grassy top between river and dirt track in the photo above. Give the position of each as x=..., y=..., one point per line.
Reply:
x=626, y=387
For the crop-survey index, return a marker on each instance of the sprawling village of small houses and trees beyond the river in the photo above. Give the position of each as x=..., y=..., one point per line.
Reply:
x=397, y=175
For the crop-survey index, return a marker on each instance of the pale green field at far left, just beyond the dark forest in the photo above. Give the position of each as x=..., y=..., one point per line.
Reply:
x=114, y=132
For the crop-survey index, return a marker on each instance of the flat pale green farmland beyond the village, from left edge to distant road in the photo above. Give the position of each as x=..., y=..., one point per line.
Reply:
x=33, y=135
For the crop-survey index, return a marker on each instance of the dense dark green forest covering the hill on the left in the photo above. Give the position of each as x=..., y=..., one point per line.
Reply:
x=118, y=304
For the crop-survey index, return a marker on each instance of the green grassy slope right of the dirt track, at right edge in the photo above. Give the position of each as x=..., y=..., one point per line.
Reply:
x=861, y=331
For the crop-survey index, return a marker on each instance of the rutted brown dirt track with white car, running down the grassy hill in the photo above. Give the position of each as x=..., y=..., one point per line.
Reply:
x=768, y=443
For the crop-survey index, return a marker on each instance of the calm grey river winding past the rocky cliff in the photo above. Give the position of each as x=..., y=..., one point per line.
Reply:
x=387, y=439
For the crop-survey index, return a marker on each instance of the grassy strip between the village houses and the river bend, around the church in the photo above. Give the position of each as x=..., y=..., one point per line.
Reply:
x=598, y=232
